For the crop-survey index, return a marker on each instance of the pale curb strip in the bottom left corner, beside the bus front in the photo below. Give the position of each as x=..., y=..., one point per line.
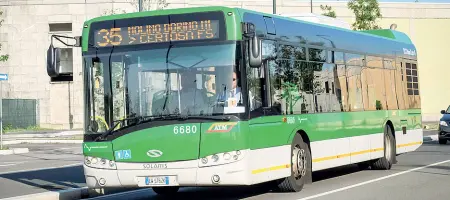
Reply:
x=74, y=193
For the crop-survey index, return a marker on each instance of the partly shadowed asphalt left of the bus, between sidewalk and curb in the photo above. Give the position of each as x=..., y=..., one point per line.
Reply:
x=47, y=167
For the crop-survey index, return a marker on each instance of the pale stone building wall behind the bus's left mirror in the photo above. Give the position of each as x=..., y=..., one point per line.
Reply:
x=25, y=36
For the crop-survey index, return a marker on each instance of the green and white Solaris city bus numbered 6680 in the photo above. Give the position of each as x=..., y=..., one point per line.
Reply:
x=218, y=96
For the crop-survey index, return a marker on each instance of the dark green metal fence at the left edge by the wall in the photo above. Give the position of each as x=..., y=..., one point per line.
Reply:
x=19, y=113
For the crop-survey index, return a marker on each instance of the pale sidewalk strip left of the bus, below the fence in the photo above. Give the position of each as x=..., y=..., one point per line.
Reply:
x=75, y=136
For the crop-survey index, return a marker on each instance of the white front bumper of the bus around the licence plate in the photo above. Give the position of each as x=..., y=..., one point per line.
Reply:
x=183, y=173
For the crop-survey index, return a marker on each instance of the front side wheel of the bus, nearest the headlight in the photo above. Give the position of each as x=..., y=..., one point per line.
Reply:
x=300, y=171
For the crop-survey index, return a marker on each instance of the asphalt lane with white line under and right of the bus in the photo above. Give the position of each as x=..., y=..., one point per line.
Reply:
x=410, y=179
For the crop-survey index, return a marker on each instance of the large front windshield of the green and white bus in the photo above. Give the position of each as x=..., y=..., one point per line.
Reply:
x=180, y=80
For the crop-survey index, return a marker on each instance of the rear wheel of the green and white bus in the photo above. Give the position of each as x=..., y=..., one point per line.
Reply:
x=385, y=162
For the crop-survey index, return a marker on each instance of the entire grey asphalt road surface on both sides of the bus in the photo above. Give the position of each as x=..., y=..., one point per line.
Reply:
x=51, y=167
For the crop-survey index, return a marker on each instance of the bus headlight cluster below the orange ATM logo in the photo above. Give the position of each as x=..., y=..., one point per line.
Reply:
x=221, y=158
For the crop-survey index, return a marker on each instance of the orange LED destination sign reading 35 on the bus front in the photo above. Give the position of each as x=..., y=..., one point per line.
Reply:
x=157, y=33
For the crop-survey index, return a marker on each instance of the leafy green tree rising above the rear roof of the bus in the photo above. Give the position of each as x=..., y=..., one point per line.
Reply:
x=366, y=14
